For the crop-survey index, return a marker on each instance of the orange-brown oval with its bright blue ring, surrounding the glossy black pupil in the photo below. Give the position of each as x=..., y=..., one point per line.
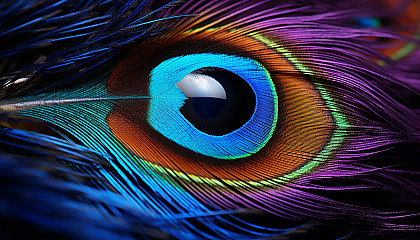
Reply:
x=299, y=137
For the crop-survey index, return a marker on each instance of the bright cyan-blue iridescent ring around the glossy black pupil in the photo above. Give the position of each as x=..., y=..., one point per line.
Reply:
x=166, y=100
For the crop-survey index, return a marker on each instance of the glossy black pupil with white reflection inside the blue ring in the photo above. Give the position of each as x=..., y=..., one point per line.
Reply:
x=219, y=101
